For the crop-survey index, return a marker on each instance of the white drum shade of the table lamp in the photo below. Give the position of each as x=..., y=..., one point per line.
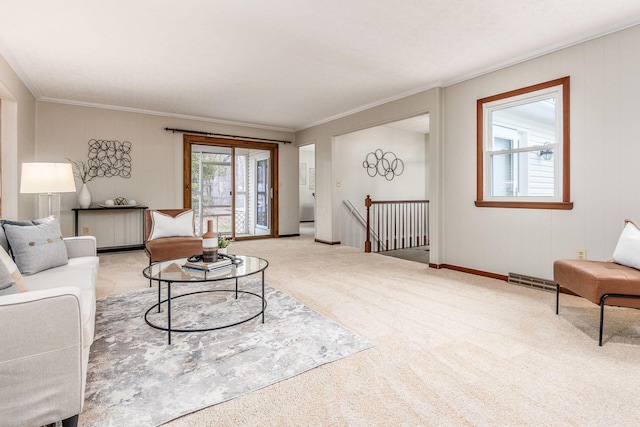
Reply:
x=47, y=178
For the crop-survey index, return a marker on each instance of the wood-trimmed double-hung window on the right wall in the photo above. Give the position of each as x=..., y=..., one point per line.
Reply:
x=523, y=148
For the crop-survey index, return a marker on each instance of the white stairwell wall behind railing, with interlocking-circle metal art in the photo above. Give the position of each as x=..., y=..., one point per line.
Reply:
x=349, y=152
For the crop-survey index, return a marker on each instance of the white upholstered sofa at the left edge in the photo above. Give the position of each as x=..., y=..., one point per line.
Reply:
x=45, y=337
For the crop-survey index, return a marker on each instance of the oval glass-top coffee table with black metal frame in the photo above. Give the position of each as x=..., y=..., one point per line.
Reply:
x=170, y=272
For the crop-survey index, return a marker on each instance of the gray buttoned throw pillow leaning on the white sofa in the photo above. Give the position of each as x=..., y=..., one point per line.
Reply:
x=36, y=247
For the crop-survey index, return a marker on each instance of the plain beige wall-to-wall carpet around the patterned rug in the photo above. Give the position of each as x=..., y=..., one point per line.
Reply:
x=451, y=349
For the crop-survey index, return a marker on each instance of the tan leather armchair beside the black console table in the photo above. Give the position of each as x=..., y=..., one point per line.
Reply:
x=167, y=248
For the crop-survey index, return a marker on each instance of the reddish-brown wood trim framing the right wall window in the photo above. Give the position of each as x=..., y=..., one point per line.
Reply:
x=566, y=203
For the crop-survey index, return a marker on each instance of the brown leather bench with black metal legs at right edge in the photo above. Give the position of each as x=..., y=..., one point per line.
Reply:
x=601, y=282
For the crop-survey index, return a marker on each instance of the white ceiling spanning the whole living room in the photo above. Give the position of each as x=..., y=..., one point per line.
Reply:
x=282, y=64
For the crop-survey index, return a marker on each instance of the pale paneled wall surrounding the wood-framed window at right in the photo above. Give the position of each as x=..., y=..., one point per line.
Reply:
x=605, y=89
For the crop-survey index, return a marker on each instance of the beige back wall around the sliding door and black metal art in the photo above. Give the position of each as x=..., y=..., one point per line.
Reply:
x=156, y=178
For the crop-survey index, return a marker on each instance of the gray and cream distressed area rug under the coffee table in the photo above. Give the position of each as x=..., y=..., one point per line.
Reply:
x=136, y=378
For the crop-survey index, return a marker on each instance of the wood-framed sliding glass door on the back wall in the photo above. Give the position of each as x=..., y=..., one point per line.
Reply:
x=230, y=183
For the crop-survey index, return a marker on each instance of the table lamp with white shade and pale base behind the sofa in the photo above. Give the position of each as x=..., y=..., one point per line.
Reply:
x=47, y=180
